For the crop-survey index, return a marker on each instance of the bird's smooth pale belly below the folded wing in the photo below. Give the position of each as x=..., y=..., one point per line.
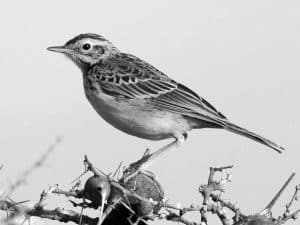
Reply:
x=135, y=118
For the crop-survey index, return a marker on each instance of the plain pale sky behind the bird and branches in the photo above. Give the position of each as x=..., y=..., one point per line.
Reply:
x=242, y=56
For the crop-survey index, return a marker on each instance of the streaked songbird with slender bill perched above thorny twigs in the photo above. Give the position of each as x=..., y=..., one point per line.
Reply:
x=138, y=99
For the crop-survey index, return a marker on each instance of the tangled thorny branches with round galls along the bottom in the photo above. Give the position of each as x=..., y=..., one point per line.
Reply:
x=125, y=193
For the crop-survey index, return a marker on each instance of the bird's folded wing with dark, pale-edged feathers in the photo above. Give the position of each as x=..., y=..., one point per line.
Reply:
x=138, y=79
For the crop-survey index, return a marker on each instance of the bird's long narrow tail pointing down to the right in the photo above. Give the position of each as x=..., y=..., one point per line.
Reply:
x=241, y=131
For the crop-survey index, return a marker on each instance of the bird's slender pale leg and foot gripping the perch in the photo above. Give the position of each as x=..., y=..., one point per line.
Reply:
x=148, y=158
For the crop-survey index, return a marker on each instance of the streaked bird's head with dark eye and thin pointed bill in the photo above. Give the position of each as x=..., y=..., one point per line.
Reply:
x=86, y=49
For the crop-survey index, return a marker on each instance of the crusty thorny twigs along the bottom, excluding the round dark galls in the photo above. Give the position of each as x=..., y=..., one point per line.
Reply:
x=212, y=202
